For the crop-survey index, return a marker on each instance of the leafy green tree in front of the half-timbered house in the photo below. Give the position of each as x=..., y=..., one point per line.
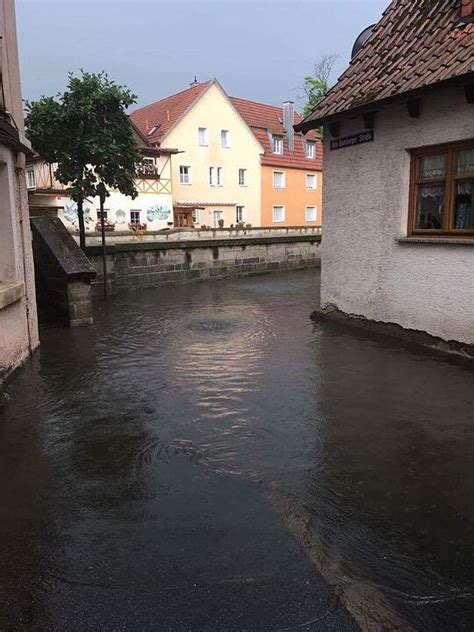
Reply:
x=87, y=134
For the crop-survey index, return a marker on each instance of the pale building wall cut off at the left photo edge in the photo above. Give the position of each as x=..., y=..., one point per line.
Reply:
x=18, y=320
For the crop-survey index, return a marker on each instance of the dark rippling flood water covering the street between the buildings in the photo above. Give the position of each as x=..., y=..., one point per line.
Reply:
x=207, y=458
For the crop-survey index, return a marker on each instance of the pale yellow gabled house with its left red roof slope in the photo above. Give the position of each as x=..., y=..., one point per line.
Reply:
x=216, y=176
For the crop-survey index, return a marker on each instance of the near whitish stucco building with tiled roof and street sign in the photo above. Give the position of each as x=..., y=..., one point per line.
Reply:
x=398, y=240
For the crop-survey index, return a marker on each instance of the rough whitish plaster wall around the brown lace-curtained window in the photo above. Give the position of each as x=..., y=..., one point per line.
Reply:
x=365, y=271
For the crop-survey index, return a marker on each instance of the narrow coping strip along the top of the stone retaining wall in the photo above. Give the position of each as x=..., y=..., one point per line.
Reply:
x=203, y=243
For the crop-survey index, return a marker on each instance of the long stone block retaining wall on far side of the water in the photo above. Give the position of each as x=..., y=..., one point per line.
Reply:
x=143, y=265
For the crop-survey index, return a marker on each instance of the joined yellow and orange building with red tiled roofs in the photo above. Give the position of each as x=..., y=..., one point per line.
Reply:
x=226, y=146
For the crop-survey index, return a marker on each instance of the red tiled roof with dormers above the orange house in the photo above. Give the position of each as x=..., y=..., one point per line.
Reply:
x=265, y=120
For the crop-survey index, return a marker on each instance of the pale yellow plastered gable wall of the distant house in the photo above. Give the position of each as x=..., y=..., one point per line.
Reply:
x=215, y=112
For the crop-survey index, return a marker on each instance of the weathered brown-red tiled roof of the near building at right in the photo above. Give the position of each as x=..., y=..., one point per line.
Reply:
x=416, y=44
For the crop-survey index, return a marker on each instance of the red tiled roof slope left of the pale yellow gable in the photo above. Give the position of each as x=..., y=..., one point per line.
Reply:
x=162, y=115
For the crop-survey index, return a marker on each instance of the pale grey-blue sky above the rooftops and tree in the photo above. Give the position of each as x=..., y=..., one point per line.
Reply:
x=258, y=49
